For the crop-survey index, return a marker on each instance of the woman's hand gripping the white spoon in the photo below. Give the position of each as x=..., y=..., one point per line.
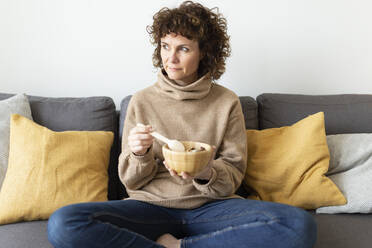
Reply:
x=140, y=140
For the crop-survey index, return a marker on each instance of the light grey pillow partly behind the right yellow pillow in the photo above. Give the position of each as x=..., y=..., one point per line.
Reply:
x=350, y=169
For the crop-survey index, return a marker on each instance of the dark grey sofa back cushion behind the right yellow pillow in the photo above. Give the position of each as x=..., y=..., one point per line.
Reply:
x=348, y=113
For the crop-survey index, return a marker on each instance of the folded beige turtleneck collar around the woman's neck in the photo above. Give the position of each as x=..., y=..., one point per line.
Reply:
x=196, y=90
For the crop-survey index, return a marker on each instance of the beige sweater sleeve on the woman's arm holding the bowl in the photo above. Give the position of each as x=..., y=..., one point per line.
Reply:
x=229, y=165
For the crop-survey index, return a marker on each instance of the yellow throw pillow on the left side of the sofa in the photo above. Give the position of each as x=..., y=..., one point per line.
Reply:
x=48, y=170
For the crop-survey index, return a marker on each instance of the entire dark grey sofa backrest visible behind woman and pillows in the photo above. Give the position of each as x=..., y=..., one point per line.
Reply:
x=351, y=113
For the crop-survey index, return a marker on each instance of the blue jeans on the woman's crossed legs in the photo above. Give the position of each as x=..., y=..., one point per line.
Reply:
x=223, y=223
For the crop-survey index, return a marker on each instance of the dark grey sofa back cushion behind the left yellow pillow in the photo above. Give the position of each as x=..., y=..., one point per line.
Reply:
x=79, y=113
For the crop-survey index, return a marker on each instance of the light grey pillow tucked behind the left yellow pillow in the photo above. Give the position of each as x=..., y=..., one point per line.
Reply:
x=17, y=104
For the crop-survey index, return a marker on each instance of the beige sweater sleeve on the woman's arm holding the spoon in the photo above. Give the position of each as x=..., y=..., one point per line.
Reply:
x=134, y=171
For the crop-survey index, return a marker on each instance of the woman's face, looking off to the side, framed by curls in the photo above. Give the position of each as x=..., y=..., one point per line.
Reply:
x=180, y=57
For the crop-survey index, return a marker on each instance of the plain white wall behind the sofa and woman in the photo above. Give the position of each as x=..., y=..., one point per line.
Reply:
x=100, y=47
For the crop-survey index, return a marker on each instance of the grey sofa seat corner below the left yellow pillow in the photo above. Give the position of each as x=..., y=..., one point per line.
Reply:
x=26, y=235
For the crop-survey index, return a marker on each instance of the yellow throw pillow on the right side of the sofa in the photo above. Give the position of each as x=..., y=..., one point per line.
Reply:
x=287, y=165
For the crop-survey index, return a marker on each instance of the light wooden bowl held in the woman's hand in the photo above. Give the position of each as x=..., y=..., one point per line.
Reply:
x=189, y=162
